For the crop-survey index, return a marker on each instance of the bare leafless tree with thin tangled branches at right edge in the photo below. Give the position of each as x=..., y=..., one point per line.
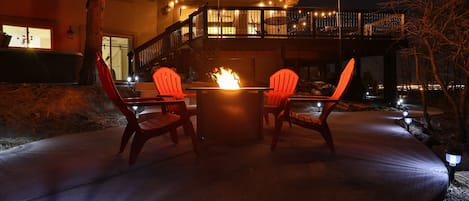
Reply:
x=438, y=30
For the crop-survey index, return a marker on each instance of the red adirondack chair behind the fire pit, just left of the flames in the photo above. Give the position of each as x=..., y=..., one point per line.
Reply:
x=168, y=84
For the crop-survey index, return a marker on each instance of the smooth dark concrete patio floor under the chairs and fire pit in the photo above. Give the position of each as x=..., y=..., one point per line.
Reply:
x=375, y=160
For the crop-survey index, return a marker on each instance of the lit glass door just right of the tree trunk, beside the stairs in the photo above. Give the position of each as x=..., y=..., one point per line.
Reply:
x=115, y=50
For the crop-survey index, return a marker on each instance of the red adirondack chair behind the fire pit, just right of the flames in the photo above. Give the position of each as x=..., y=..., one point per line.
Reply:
x=283, y=84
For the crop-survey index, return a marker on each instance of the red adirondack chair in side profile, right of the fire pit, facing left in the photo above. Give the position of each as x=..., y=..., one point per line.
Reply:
x=310, y=120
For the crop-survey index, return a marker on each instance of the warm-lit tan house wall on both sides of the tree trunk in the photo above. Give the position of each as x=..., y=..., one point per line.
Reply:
x=133, y=18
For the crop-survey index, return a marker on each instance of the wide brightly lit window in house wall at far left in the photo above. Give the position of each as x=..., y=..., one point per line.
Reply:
x=29, y=37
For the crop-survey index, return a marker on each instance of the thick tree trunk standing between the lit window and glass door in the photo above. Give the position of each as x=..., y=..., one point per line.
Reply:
x=93, y=41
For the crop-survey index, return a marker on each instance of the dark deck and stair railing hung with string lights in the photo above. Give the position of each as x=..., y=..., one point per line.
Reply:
x=270, y=23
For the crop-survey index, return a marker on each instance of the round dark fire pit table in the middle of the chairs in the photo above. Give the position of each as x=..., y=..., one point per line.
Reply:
x=230, y=116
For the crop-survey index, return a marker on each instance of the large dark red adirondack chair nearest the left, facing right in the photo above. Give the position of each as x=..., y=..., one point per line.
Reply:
x=148, y=125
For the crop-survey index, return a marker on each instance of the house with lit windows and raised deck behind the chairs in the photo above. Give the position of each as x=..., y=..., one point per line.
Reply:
x=253, y=37
